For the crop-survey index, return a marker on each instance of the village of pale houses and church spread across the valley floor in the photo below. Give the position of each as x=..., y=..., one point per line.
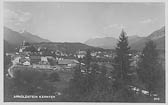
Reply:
x=38, y=59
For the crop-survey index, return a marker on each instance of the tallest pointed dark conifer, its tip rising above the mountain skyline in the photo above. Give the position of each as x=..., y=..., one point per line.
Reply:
x=122, y=59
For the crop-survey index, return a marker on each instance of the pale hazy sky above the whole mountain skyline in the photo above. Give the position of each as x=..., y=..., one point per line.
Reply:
x=80, y=21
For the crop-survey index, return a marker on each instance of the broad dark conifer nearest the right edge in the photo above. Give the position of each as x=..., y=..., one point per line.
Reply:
x=150, y=71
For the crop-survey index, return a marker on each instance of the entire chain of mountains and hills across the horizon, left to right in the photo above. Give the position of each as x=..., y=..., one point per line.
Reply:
x=12, y=39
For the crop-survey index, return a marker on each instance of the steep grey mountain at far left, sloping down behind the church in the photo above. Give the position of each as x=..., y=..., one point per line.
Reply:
x=12, y=39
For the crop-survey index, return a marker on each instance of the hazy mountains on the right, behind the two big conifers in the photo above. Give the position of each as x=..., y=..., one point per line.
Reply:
x=135, y=42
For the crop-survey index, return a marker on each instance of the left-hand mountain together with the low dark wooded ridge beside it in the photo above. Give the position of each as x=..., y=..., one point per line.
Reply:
x=13, y=39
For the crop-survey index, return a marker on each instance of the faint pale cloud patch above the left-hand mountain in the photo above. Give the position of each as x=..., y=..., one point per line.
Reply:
x=16, y=17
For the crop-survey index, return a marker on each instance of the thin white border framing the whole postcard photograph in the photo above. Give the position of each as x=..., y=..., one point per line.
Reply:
x=71, y=103
